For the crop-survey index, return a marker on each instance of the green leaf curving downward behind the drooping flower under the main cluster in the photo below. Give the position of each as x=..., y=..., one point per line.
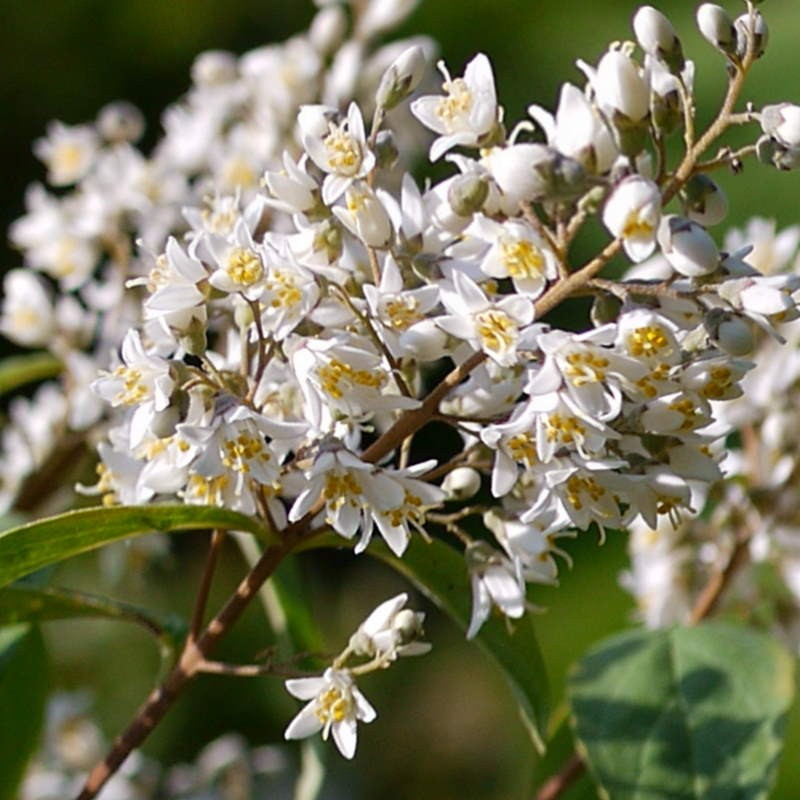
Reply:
x=439, y=571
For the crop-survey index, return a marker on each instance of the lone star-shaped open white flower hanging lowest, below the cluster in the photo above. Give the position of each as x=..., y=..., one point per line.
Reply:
x=335, y=706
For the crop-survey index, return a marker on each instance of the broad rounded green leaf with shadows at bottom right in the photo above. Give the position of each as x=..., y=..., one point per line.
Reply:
x=685, y=713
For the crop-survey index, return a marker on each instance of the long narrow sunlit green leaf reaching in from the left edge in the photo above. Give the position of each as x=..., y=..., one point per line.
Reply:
x=30, y=547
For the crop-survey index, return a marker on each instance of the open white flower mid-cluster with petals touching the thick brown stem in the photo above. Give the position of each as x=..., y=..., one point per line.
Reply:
x=491, y=327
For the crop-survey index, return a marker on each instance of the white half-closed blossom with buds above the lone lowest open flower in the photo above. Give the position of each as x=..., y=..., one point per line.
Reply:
x=390, y=631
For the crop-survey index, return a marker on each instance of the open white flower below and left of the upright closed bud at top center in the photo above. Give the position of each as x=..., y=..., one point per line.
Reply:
x=340, y=149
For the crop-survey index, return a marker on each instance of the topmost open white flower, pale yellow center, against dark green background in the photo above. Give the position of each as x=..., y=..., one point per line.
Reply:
x=466, y=113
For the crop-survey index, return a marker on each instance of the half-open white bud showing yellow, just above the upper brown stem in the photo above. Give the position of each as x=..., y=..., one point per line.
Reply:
x=632, y=213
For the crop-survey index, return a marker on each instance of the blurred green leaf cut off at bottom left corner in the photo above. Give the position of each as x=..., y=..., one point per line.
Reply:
x=23, y=691
